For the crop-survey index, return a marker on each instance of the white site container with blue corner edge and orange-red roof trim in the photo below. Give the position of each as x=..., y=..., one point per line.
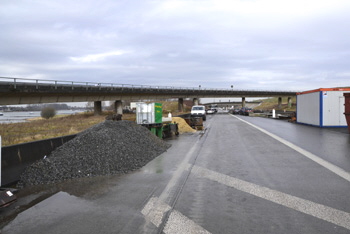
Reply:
x=322, y=107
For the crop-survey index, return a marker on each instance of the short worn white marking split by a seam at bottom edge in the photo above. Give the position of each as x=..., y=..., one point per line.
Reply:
x=155, y=210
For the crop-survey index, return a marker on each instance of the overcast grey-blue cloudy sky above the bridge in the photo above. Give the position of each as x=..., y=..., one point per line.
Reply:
x=263, y=44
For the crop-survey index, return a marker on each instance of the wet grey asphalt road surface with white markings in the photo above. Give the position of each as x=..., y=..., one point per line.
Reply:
x=239, y=175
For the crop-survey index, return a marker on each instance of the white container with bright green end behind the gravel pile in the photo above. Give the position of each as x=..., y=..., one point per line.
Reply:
x=149, y=113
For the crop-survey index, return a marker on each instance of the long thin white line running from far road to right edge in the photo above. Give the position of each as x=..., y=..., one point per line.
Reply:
x=333, y=168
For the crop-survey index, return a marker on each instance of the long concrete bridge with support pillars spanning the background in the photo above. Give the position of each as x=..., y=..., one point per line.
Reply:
x=15, y=91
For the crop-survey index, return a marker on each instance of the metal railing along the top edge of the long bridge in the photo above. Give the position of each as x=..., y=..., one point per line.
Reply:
x=20, y=81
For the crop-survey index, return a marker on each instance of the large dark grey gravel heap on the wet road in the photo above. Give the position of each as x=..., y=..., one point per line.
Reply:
x=107, y=148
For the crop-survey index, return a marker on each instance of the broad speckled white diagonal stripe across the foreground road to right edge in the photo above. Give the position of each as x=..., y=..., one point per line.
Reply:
x=338, y=217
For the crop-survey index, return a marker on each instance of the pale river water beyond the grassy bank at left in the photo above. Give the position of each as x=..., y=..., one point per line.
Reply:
x=23, y=116
